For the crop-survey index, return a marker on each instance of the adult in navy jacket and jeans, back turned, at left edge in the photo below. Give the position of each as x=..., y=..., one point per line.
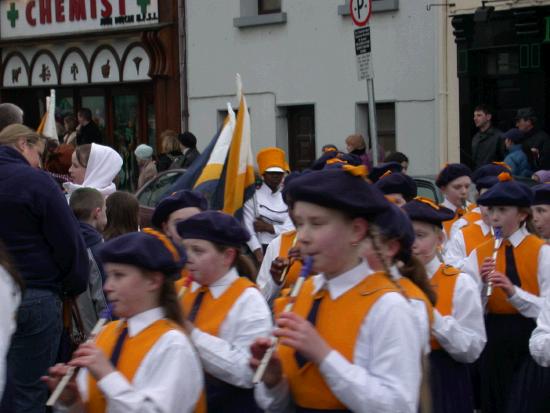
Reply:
x=42, y=236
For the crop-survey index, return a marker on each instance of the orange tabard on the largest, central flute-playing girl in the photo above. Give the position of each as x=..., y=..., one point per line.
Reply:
x=338, y=322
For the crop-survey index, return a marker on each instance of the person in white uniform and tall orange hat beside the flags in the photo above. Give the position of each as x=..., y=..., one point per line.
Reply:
x=266, y=214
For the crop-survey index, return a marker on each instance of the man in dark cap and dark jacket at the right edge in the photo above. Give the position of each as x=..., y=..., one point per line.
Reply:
x=535, y=138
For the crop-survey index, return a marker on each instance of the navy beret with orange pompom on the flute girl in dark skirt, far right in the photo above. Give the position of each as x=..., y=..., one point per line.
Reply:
x=507, y=192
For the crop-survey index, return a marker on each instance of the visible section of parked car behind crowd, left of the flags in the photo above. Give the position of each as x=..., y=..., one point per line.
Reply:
x=150, y=194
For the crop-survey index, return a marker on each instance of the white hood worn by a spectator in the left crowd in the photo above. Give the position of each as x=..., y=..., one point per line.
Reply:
x=103, y=166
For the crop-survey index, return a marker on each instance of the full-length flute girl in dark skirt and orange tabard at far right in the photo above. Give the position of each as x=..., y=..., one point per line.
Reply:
x=520, y=281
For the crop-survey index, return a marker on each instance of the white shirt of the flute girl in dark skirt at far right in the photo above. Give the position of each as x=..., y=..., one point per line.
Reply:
x=528, y=305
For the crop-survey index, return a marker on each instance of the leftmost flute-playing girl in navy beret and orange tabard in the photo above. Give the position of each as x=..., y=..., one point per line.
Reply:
x=143, y=362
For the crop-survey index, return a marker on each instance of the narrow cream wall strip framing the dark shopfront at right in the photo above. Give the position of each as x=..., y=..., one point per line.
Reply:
x=451, y=136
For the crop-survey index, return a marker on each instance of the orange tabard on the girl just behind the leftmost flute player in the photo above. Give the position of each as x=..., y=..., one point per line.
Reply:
x=213, y=311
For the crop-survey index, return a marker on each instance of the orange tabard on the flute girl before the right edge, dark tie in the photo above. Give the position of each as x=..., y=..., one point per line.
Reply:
x=526, y=257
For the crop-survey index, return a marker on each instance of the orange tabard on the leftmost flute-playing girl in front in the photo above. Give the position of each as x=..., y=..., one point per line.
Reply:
x=133, y=352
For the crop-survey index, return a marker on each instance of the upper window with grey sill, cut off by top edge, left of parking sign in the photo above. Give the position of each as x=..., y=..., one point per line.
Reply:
x=259, y=13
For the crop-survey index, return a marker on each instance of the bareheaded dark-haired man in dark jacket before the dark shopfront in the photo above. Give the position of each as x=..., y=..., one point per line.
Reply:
x=487, y=146
